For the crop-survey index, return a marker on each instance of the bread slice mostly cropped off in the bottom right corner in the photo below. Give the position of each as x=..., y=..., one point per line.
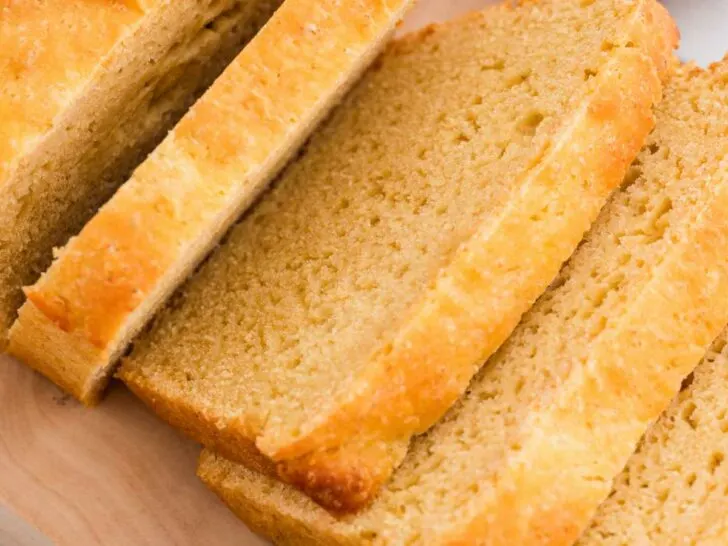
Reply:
x=674, y=490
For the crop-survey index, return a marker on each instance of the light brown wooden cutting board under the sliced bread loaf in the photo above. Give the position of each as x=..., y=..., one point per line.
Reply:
x=115, y=475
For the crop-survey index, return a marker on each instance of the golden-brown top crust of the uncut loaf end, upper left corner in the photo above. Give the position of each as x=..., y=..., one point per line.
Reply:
x=39, y=41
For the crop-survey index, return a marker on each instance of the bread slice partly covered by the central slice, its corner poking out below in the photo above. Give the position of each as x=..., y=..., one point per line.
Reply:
x=530, y=451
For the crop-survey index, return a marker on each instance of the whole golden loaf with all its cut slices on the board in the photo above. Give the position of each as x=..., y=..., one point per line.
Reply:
x=469, y=292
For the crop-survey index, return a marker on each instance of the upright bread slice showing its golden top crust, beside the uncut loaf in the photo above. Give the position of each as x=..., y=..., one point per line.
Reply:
x=108, y=281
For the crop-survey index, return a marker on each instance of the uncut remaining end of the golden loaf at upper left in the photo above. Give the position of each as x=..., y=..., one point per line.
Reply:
x=87, y=89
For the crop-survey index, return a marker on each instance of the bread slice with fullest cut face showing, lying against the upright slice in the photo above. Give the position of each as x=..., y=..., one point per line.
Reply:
x=353, y=305
